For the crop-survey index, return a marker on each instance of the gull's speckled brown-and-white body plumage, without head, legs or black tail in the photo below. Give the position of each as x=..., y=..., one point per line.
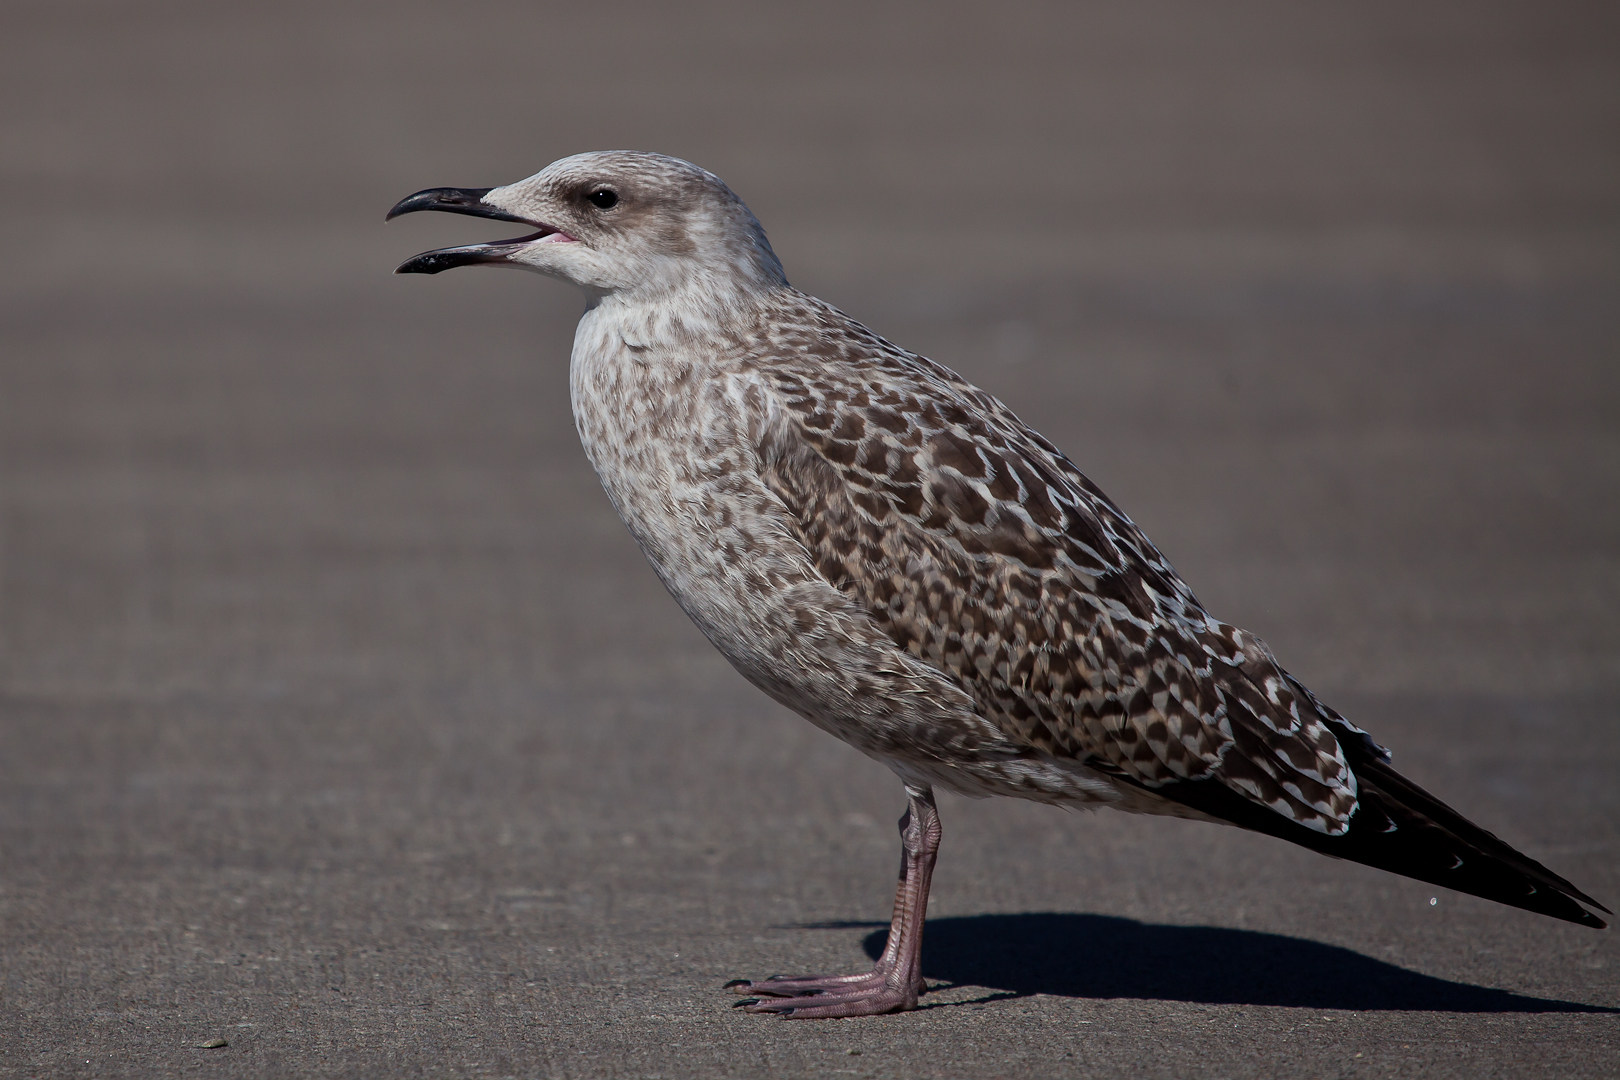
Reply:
x=892, y=553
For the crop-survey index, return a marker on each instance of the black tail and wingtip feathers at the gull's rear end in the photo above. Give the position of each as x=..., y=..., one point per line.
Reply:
x=1405, y=830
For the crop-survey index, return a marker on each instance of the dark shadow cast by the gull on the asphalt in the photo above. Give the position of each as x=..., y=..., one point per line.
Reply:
x=1099, y=956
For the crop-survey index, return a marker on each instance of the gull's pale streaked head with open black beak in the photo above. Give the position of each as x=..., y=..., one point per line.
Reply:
x=613, y=223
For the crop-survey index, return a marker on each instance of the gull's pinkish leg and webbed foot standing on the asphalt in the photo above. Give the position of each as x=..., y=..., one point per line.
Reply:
x=895, y=982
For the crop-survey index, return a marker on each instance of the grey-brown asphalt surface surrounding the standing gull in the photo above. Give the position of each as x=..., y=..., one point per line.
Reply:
x=343, y=721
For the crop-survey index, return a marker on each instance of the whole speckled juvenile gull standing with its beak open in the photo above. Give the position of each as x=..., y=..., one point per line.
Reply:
x=890, y=553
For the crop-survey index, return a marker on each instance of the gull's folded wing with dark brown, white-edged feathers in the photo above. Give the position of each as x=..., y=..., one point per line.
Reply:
x=979, y=548
